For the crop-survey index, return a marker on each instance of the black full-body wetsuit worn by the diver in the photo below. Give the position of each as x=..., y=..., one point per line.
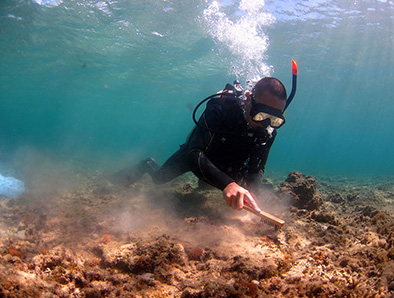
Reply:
x=221, y=149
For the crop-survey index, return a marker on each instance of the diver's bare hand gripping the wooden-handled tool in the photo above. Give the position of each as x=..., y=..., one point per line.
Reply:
x=237, y=196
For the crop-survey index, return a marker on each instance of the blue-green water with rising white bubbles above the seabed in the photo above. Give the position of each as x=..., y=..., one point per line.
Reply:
x=107, y=82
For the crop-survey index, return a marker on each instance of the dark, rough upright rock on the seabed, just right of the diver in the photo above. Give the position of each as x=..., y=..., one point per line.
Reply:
x=303, y=191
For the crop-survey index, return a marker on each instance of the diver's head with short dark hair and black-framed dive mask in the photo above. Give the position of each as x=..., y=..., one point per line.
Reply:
x=265, y=105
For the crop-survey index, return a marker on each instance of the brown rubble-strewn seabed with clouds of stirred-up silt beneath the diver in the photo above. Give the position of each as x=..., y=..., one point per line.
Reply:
x=87, y=238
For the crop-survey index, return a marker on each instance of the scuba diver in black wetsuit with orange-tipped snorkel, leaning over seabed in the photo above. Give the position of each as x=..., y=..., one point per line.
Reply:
x=229, y=146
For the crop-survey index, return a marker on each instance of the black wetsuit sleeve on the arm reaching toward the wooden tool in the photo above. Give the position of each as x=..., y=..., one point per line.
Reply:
x=200, y=142
